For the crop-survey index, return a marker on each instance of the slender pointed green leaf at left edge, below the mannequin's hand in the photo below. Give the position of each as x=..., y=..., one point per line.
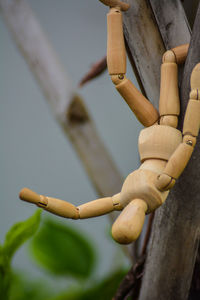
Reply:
x=19, y=233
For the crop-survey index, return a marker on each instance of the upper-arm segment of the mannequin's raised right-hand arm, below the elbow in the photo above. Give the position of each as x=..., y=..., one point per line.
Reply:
x=178, y=160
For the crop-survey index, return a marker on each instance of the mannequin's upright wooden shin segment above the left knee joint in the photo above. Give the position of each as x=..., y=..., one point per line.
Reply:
x=116, y=54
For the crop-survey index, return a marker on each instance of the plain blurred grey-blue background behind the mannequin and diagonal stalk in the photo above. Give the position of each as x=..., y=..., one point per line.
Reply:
x=34, y=151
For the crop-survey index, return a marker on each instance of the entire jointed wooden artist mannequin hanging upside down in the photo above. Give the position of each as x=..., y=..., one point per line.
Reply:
x=164, y=152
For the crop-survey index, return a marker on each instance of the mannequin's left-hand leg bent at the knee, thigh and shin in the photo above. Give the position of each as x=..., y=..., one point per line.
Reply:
x=116, y=61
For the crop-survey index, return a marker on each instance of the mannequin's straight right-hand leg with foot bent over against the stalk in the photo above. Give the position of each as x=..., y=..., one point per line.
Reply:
x=169, y=104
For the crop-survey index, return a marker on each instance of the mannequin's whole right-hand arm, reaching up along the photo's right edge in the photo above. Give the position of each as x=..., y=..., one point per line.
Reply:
x=191, y=125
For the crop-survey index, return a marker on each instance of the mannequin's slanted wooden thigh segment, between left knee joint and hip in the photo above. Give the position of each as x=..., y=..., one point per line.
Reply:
x=140, y=106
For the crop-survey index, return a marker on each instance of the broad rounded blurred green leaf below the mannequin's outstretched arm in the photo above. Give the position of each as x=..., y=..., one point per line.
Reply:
x=63, y=251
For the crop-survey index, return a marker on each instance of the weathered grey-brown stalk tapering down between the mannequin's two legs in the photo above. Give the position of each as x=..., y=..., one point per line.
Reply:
x=145, y=46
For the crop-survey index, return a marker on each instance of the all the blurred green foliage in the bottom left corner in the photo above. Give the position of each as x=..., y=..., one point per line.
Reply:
x=61, y=251
